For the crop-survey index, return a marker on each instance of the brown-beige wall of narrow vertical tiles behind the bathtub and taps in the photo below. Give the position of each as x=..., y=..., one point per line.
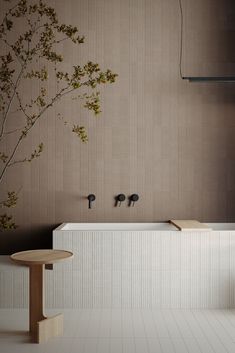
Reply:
x=170, y=141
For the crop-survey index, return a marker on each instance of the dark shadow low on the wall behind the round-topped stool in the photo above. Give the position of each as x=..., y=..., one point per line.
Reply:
x=24, y=239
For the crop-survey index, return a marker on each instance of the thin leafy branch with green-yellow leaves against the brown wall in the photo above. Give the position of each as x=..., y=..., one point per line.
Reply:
x=37, y=43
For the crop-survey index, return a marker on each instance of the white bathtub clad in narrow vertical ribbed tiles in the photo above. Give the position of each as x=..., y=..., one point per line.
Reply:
x=145, y=265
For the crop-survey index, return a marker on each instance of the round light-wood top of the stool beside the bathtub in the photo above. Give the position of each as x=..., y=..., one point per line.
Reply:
x=41, y=257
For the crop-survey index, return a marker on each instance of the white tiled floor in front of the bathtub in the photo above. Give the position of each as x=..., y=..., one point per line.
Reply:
x=125, y=331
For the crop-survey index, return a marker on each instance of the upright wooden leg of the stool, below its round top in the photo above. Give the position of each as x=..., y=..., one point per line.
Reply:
x=36, y=297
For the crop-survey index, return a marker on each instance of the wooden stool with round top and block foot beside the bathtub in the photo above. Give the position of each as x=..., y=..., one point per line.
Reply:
x=41, y=327
